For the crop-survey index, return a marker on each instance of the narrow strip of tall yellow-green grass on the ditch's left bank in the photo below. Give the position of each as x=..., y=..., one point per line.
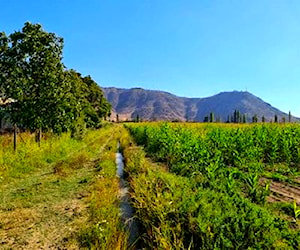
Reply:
x=104, y=229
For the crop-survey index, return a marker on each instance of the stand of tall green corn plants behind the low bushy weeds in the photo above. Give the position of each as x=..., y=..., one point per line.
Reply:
x=226, y=158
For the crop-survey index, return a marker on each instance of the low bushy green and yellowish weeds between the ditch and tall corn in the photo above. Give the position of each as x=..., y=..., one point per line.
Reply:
x=180, y=212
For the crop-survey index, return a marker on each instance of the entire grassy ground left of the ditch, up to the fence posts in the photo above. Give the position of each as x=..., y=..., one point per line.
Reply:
x=63, y=195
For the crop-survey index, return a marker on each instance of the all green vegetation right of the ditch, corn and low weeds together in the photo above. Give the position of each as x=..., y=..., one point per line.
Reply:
x=212, y=197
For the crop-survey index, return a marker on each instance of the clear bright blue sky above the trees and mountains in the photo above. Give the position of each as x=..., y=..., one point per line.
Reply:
x=189, y=48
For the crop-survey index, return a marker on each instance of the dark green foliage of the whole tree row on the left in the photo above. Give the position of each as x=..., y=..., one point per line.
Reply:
x=45, y=95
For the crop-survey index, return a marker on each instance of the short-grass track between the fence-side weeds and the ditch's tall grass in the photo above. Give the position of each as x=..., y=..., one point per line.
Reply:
x=47, y=209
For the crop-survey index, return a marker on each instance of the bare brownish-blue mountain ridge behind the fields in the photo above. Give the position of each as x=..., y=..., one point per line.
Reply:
x=160, y=105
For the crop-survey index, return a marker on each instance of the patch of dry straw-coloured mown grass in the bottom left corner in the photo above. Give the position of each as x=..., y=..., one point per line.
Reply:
x=50, y=227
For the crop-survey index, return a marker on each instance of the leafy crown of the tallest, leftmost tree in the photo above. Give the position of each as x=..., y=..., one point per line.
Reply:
x=31, y=72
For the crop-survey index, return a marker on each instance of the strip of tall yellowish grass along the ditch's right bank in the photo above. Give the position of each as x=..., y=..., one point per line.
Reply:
x=153, y=198
